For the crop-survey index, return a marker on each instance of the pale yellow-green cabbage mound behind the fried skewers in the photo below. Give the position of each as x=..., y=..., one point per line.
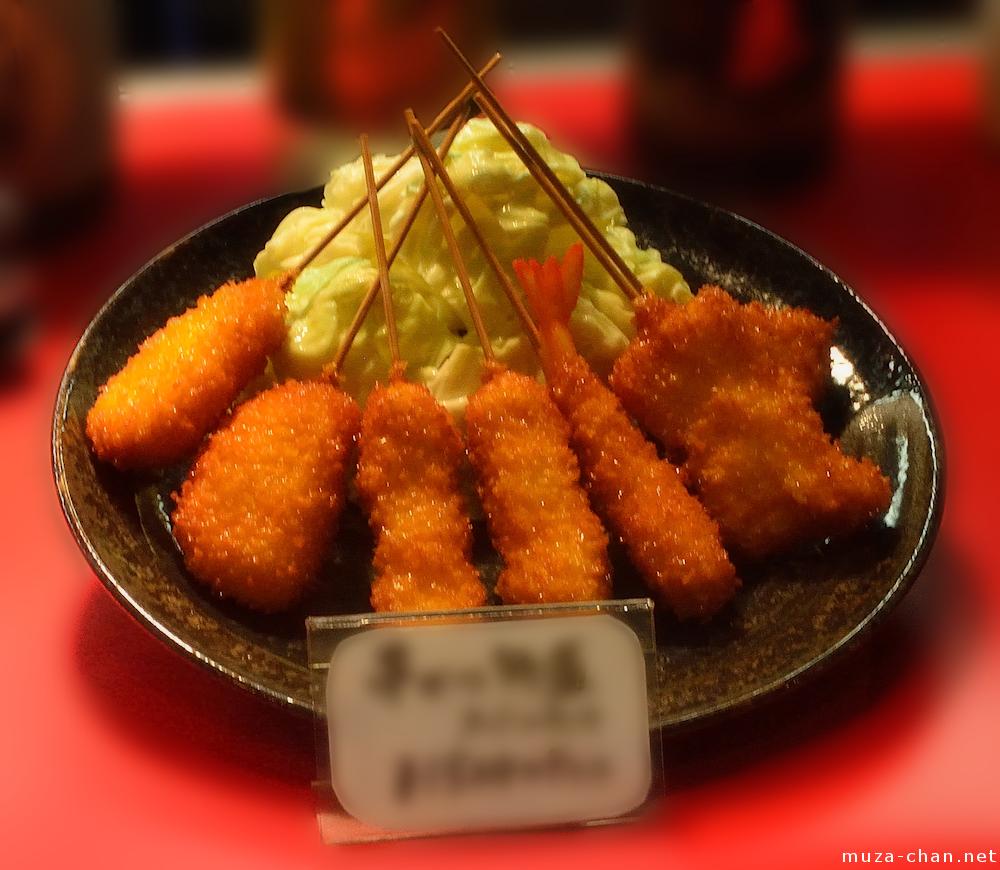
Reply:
x=435, y=329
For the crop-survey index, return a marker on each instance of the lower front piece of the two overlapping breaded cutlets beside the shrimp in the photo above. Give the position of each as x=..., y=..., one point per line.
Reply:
x=770, y=475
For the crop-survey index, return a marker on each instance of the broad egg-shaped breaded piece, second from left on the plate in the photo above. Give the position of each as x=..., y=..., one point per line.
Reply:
x=262, y=502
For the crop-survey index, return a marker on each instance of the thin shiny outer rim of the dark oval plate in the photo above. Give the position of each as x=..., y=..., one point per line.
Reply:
x=809, y=670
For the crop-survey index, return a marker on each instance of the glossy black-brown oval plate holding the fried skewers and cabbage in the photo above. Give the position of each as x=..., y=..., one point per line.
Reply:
x=792, y=615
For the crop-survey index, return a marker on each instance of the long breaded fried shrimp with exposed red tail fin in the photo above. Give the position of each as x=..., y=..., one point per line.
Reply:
x=670, y=538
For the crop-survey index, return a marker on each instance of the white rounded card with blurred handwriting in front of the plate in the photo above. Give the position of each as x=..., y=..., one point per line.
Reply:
x=489, y=725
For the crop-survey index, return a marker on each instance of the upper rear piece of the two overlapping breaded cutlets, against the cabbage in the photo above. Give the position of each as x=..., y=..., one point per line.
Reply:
x=682, y=353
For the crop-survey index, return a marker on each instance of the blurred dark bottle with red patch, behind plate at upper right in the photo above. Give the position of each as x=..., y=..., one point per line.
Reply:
x=735, y=93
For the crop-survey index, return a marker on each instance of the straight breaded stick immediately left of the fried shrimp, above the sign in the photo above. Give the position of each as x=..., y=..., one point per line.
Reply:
x=554, y=547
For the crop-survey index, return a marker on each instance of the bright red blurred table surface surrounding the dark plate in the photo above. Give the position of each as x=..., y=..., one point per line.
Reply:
x=119, y=753
